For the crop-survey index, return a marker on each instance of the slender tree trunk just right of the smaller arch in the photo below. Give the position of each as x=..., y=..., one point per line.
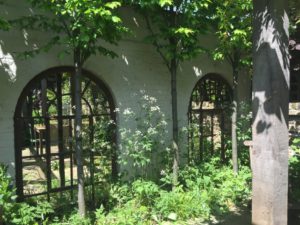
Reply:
x=234, y=121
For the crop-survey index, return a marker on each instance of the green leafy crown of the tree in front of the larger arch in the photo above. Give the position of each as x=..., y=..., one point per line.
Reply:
x=78, y=25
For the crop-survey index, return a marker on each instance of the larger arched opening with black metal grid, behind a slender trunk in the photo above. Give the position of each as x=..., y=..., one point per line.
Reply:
x=44, y=135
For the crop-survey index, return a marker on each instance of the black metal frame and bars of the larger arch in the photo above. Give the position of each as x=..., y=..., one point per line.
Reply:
x=19, y=118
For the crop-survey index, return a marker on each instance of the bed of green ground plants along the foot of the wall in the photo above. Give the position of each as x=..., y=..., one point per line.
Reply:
x=204, y=191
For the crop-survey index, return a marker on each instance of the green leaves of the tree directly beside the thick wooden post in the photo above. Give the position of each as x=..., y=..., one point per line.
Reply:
x=233, y=24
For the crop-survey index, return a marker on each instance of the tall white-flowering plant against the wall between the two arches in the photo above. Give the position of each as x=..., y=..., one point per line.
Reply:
x=141, y=145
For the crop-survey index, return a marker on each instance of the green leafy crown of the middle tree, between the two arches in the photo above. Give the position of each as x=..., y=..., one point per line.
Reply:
x=175, y=26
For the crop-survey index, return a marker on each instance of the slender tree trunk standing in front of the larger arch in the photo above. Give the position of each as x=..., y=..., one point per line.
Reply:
x=78, y=132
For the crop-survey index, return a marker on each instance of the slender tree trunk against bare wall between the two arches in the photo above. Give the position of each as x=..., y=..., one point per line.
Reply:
x=175, y=147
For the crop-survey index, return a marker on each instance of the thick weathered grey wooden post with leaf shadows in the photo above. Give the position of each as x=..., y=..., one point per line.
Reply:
x=270, y=113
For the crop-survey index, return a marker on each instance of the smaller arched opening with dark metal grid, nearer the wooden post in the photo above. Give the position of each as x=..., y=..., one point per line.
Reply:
x=209, y=118
